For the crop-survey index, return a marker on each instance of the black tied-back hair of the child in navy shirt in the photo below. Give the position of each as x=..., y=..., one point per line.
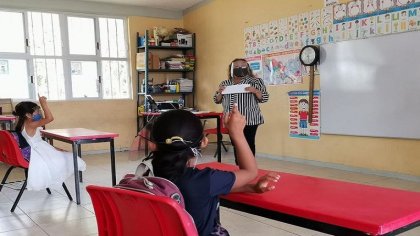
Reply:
x=178, y=135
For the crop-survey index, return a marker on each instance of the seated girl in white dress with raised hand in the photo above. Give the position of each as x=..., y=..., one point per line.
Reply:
x=48, y=167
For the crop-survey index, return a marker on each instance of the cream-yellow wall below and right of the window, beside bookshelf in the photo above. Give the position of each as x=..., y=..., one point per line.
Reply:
x=117, y=116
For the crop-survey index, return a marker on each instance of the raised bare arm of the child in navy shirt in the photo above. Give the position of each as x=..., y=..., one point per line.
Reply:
x=247, y=165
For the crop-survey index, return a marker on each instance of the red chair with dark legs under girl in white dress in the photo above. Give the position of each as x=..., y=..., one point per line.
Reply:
x=11, y=155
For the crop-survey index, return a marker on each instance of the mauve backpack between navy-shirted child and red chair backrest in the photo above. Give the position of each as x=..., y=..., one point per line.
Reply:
x=152, y=185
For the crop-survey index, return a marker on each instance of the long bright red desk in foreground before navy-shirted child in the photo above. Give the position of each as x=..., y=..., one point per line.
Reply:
x=329, y=206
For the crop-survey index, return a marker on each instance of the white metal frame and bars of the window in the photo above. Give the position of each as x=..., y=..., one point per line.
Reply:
x=67, y=58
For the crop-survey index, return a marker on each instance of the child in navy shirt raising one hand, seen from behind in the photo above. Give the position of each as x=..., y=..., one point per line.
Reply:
x=178, y=136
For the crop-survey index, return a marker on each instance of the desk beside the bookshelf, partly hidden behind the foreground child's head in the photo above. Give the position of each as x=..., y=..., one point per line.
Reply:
x=148, y=116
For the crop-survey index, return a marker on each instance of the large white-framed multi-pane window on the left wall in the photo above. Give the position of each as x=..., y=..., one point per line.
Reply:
x=62, y=57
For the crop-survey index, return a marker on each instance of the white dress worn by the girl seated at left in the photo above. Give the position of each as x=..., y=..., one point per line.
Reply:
x=48, y=167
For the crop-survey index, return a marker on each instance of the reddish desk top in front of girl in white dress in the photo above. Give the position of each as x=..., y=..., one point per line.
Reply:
x=74, y=134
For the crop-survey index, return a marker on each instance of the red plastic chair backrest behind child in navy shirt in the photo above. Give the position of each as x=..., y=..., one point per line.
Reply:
x=121, y=212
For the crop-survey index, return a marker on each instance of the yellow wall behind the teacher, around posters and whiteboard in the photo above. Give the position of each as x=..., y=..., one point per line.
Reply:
x=219, y=26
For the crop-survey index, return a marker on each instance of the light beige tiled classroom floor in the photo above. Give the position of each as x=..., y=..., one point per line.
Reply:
x=41, y=214
